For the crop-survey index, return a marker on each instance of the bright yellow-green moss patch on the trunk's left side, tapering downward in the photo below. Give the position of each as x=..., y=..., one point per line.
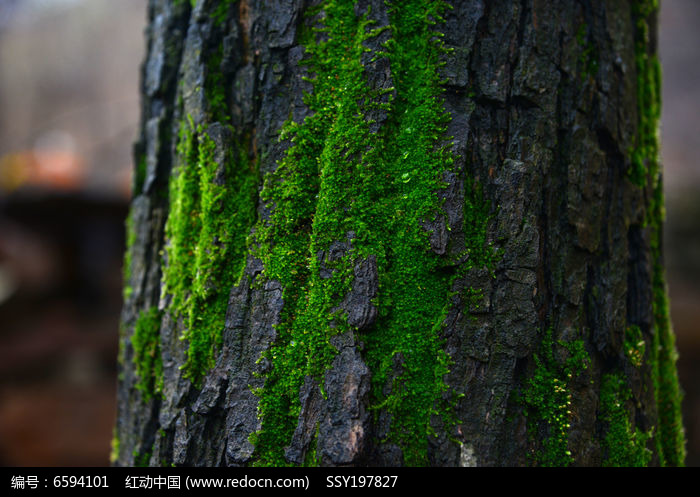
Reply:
x=212, y=207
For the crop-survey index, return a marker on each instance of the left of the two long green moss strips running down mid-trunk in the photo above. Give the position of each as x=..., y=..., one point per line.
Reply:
x=306, y=190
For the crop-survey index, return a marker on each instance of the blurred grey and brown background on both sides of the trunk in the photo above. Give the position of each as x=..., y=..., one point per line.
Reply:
x=69, y=110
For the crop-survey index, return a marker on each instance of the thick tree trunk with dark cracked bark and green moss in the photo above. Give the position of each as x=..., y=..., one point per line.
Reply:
x=398, y=233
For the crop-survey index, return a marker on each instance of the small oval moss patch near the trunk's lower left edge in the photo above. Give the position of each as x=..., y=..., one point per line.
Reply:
x=147, y=355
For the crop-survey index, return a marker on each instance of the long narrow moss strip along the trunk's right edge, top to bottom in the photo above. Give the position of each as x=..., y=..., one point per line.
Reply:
x=646, y=172
